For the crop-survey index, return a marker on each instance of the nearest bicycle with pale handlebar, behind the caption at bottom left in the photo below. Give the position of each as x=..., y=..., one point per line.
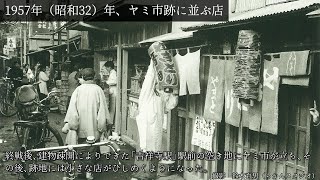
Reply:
x=71, y=175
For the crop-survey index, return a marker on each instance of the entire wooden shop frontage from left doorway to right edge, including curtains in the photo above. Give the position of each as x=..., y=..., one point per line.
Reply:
x=283, y=29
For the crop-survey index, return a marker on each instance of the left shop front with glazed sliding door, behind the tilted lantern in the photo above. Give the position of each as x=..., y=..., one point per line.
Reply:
x=119, y=43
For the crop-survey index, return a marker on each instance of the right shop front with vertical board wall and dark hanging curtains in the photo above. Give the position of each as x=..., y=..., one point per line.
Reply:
x=294, y=135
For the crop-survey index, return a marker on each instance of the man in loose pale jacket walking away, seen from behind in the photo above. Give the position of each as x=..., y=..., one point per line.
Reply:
x=87, y=114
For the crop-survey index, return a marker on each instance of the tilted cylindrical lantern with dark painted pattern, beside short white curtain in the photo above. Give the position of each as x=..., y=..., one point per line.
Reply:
x=165, y=67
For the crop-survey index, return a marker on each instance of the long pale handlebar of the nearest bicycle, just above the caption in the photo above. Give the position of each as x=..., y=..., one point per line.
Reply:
x=113, y=145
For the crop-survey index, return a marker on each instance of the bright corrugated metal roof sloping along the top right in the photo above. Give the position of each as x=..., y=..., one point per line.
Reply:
x=266, y=11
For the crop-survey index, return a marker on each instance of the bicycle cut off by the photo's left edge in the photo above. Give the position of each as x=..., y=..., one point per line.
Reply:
x=7, y=103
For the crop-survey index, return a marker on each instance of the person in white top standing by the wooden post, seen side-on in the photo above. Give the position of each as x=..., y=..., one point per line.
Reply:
x=112, y=85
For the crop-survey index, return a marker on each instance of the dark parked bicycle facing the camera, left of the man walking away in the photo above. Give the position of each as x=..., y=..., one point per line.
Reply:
x=33, y=129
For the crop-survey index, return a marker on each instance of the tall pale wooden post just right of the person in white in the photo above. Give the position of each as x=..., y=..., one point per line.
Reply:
x=119, y=84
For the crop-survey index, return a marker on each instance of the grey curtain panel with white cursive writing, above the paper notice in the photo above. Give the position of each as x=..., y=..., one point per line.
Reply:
x=213, y=107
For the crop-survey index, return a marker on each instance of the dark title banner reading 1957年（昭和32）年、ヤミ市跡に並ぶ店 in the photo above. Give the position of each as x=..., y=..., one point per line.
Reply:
x=139, y=10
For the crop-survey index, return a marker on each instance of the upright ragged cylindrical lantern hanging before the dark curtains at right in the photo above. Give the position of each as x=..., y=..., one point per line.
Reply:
x=248, y=64
